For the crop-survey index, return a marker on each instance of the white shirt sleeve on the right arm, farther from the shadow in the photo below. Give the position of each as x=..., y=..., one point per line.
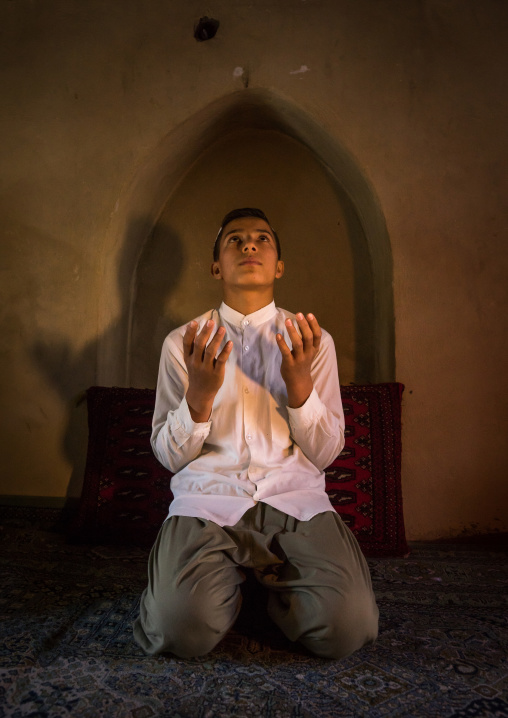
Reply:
x=318, y=425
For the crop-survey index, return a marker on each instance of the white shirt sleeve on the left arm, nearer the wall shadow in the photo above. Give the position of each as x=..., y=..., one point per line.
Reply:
x=176, y=439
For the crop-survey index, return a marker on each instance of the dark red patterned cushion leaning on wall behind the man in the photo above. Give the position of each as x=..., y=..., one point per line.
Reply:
x=126, y=492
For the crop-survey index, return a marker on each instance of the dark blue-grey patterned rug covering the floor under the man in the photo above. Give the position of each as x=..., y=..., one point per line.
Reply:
x=66, y=647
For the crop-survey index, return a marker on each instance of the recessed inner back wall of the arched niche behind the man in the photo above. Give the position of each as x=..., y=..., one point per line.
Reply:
x=261, y=169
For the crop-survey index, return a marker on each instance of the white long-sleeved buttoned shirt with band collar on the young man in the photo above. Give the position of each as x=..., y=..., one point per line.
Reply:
x=254, y=447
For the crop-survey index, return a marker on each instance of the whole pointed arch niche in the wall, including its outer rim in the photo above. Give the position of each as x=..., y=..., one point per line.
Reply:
x=251, y=148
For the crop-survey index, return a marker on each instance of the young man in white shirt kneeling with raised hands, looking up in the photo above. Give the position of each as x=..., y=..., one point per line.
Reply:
x=248, y=414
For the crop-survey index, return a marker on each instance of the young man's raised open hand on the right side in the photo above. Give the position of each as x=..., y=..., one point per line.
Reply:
x=296, y=363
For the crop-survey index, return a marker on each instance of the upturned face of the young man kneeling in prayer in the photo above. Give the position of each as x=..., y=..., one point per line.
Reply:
x=248, y=255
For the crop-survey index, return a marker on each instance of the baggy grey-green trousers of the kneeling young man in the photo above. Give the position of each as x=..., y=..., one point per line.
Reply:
x=319, y=587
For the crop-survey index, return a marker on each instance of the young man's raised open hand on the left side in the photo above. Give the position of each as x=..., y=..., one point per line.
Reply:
x=205, y=369
